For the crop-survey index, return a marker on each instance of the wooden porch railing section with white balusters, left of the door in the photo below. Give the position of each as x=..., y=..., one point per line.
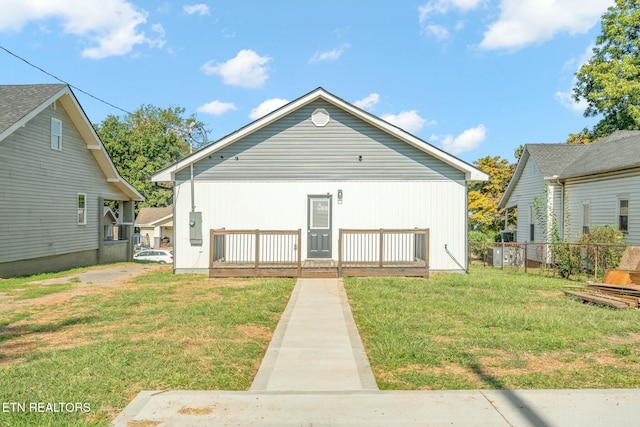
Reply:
x=259, y=248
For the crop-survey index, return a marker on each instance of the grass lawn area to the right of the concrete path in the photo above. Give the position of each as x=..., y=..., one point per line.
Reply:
x=491, y=329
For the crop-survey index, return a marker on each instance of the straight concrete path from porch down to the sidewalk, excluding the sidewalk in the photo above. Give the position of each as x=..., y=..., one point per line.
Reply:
x=316, y=345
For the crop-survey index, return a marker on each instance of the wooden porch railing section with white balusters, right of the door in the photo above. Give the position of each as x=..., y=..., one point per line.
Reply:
x=383, y=248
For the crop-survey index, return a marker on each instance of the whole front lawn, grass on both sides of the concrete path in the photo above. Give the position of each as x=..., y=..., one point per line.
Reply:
x=100, y=346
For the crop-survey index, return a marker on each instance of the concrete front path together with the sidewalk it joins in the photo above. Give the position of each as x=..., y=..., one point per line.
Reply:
x=316, y=373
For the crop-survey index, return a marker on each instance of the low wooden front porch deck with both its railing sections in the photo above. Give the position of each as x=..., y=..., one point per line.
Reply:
x=278, y=253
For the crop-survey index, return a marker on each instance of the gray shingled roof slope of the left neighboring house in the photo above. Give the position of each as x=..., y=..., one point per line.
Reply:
x=16, y=101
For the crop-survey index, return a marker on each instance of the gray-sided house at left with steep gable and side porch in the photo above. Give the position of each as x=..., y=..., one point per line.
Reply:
x=55, y=176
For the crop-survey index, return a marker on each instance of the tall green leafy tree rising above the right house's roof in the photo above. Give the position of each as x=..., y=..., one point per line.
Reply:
x=610, y=80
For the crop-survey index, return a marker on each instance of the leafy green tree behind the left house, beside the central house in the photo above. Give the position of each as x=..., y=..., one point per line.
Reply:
x=145, y=142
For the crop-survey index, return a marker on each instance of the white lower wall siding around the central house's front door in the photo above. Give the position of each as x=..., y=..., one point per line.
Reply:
x=279, y=205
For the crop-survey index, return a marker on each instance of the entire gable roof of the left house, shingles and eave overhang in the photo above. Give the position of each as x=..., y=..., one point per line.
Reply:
x=21, y=103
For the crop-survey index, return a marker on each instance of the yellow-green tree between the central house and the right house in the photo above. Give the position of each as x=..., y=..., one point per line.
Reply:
x=484, y=214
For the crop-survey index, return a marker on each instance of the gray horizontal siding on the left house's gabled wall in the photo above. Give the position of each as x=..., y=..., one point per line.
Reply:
x=39, y=192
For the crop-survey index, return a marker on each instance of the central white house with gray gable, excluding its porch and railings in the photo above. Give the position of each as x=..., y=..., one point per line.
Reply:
x=320, y=155
